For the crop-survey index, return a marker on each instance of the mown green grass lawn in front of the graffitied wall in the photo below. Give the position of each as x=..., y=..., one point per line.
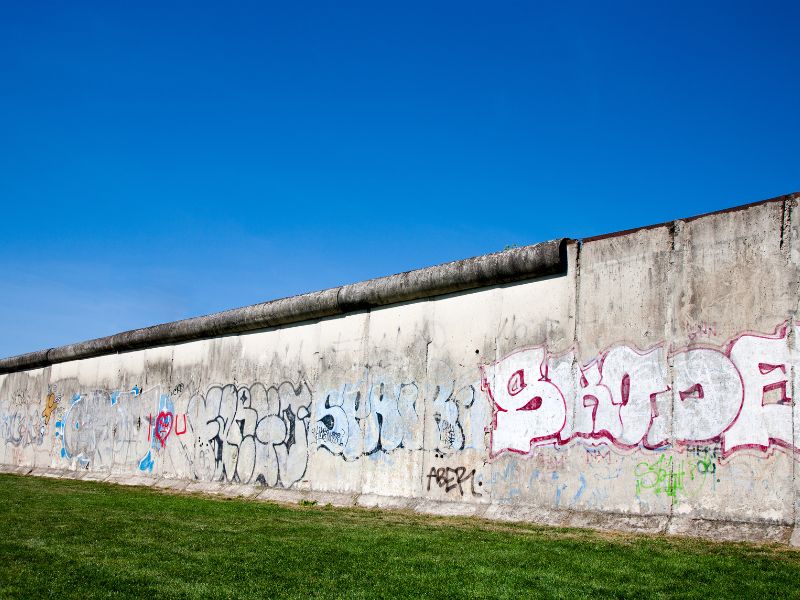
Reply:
x=74, y=539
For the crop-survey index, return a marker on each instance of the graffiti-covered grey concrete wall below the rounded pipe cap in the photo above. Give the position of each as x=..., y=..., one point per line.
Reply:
x=649, y=387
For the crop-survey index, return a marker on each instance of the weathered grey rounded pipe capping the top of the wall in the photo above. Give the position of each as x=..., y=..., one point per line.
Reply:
x=527, y=262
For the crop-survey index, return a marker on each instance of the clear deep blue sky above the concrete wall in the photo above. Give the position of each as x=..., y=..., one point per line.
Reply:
x=162, y=162
